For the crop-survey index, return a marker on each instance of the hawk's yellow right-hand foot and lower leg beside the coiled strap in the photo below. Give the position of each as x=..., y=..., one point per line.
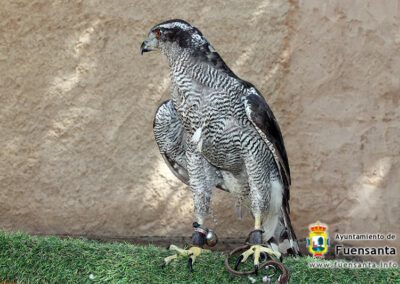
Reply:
x=256, y=248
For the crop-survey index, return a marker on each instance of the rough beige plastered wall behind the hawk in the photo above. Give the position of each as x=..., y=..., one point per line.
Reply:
x=77, y=153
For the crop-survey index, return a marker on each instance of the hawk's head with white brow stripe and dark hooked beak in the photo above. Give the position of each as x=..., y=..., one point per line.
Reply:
x=173, y=35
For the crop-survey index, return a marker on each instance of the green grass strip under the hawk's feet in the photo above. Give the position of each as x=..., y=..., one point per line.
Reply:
x=28, y=259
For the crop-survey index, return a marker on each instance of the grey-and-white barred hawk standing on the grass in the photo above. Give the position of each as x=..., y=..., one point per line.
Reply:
x=217, y=131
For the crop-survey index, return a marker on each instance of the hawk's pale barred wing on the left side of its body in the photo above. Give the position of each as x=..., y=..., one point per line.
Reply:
x=169, y=134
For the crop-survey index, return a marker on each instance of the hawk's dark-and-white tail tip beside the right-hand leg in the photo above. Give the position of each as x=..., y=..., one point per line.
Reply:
x=285, y=236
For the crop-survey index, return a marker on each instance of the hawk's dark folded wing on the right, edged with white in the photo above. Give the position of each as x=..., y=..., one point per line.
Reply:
x=262, y=118
